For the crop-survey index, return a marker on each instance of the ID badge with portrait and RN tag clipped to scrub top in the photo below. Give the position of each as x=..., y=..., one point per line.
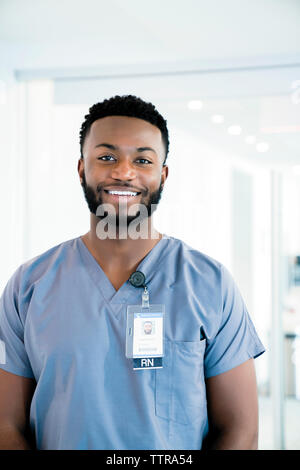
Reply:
x=144, y=336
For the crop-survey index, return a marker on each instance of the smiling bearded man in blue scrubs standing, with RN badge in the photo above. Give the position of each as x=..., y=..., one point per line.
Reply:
x=67, y=382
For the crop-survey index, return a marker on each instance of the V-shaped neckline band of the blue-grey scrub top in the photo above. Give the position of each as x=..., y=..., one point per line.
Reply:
x=148, y=266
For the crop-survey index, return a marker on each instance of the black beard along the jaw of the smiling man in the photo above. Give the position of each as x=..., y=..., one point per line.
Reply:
x=93, y=202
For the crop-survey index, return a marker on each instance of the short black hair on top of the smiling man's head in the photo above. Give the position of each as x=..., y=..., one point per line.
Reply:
x=125, y=105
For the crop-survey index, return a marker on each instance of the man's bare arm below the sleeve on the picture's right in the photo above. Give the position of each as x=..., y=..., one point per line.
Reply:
x=233, y=409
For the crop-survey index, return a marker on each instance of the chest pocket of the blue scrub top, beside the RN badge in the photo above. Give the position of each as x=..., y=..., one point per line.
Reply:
x=180, y=387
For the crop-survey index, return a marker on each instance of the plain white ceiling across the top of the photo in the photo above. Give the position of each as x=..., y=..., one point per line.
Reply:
x=43, y=33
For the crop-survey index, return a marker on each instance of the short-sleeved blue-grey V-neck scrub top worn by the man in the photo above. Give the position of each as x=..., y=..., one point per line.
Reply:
x=64, y=324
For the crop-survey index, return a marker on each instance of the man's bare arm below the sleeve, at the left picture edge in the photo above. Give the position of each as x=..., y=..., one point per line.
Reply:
x=15, y=397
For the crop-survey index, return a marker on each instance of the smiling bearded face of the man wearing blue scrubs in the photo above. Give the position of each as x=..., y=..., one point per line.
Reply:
x=122, y=154
